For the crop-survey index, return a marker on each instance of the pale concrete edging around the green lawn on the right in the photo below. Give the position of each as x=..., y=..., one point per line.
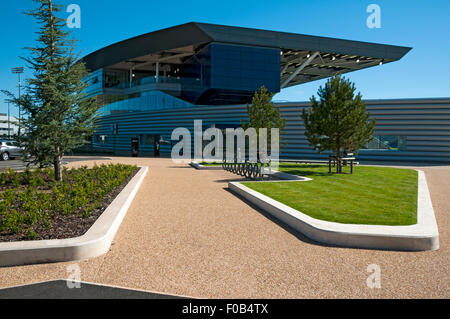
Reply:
x=418, y=237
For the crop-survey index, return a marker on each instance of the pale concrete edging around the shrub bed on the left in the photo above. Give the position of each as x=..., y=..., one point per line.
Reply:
x=95, y=242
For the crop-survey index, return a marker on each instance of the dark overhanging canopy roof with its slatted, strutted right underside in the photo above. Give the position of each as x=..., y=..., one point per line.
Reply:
x=304, y=58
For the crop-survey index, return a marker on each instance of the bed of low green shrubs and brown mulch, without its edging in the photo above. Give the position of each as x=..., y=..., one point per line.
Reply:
x=35, y=207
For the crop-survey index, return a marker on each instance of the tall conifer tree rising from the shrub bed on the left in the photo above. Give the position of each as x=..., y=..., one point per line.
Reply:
x=58, y=116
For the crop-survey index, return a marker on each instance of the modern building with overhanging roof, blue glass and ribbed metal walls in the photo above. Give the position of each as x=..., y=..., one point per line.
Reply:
x=148, y=85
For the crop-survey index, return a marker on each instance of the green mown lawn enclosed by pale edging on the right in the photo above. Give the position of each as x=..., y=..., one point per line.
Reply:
x=371, y=195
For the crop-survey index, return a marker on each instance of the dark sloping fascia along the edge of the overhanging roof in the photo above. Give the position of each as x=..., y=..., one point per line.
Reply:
x=196, y=33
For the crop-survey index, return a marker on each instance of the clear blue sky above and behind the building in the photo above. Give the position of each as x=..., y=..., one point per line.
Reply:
x=423, y=25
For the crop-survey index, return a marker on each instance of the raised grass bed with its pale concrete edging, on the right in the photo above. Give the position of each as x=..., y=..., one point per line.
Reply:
x=381, y=208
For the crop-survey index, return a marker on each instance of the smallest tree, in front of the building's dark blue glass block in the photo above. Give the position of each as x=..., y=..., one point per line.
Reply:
x=262, y=113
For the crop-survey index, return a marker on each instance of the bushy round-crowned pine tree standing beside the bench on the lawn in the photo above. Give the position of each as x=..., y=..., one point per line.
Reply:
x=338, y=121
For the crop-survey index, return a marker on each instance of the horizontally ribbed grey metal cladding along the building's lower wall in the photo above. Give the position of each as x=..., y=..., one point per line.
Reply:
x=423, y=143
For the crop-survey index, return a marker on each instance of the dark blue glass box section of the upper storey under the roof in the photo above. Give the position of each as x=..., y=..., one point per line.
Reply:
x=230, y=74
